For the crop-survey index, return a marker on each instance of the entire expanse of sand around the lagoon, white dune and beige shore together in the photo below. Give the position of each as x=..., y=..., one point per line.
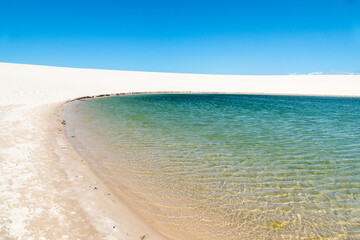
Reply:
x=47, y=191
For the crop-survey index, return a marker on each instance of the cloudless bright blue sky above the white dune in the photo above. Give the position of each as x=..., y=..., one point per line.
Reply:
x=191, y=36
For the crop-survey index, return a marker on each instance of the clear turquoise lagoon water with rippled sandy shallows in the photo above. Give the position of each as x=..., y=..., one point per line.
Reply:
x=206, y=166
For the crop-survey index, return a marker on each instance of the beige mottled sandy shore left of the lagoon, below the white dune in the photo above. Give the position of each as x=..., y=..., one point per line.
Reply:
x=48, y=191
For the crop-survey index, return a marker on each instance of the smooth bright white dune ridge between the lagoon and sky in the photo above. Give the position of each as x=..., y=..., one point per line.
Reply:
x=42, y=84
